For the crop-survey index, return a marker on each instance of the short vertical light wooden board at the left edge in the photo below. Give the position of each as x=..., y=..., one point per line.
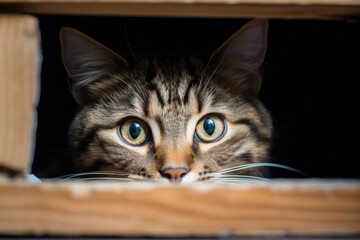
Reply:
x=19, y=76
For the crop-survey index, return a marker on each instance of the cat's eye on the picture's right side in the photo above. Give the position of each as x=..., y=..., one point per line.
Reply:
x=210, y=128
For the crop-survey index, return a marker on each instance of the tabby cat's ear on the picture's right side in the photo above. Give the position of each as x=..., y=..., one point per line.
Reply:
x=238, y=62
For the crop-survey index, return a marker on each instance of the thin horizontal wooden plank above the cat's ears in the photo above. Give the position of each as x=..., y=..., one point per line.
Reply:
x=300, y=9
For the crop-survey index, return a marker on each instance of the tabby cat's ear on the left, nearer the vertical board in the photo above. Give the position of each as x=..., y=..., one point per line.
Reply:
x=87, y=62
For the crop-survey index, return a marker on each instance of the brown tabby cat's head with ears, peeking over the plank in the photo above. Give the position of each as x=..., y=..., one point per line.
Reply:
x=168, y=119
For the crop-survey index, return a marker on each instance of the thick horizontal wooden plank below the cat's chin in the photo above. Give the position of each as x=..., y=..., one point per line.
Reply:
x=278, y=208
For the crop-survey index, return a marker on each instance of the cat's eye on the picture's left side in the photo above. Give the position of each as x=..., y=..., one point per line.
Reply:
x=134, y=131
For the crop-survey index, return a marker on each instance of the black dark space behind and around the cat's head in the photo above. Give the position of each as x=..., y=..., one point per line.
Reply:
x=311, y=75
